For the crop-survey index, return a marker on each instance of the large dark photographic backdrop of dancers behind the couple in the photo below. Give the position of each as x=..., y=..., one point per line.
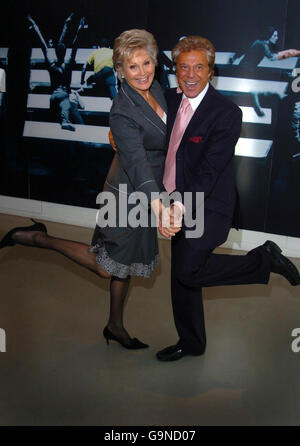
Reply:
x=46, y=157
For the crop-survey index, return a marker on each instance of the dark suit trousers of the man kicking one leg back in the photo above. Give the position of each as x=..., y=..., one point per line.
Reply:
x=194, y=266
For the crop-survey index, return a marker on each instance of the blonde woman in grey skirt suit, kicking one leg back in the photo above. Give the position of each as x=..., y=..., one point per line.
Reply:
x=137, y=120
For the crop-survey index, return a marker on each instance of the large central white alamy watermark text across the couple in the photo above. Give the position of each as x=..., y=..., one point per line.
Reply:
x=122, y=209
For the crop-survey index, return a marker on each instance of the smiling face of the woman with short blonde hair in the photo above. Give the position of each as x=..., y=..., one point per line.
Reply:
x=138, y=70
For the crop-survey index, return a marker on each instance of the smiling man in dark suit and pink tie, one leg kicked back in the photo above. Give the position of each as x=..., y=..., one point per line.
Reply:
x=200, y=159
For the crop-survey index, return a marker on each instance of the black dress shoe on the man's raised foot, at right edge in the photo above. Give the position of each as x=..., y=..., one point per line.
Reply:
x=281, y=264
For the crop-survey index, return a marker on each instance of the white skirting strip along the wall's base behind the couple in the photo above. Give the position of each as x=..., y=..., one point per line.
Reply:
x=85, y=217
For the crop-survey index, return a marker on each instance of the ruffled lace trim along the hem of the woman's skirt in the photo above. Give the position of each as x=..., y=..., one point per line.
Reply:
x=119, y=269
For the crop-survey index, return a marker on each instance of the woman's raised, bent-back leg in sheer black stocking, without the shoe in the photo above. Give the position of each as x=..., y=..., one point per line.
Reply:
x=76, y=251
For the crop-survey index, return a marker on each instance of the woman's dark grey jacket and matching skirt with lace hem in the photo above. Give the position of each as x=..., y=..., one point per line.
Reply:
x=140, y=135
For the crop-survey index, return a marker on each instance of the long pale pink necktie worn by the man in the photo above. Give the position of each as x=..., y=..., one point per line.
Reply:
x=183, y=117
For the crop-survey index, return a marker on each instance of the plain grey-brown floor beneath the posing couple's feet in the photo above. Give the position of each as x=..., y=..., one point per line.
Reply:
x=58, y=370
